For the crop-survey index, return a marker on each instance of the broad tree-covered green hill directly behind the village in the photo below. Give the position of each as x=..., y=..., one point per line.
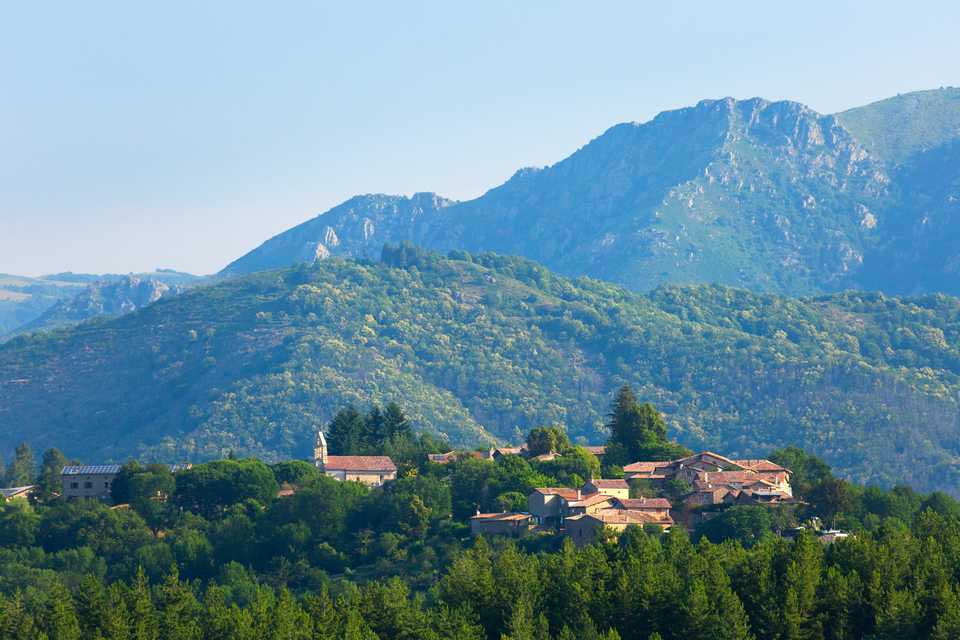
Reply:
x=482, y=347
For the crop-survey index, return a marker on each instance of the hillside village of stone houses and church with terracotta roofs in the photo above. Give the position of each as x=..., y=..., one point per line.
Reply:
x=653, y=495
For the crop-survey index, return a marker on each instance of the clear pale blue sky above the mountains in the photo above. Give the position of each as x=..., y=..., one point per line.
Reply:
x=142, y=135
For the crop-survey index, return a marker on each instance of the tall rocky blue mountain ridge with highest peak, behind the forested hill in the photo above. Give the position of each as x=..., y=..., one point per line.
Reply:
x=769, y=196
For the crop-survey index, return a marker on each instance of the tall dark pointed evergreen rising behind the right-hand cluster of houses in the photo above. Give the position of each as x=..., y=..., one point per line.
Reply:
x=638, y=432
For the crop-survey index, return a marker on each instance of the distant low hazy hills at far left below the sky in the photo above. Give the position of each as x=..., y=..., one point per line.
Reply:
x=61, y=299
